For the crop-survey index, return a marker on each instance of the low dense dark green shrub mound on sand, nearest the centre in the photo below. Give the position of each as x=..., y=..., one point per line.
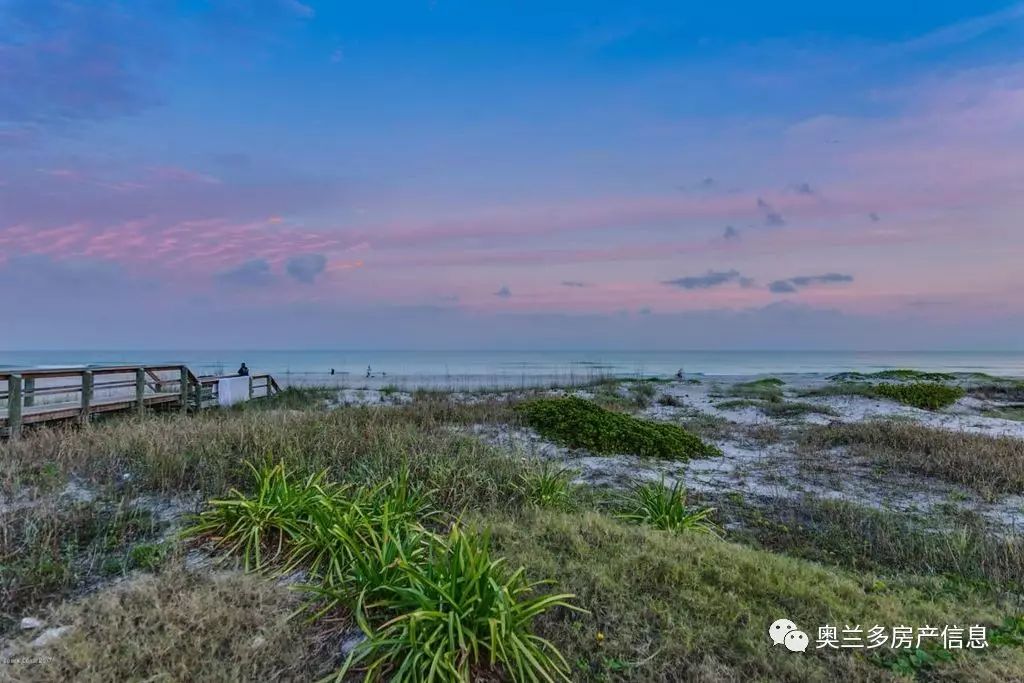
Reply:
x=583, y=424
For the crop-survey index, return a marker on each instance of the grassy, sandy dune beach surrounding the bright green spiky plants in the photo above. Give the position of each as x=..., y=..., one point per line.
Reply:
x=792, y=491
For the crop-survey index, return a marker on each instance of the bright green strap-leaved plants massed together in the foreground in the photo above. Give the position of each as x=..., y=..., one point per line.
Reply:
x=434, y=608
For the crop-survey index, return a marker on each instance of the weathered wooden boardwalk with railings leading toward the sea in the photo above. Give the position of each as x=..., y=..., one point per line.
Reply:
x=33, y=396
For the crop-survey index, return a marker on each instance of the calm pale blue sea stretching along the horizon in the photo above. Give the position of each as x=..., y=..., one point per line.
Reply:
x=510, y=368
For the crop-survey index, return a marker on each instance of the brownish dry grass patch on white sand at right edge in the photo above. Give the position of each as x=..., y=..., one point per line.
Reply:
x=988, y=464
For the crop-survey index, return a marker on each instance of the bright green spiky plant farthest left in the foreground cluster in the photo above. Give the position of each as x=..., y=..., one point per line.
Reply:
x=263, y=527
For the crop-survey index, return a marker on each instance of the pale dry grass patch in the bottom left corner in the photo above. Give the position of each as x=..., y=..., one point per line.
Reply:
x=183, y=627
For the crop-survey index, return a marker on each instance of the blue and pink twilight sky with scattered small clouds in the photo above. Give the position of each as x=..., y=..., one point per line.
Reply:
x=440, y=175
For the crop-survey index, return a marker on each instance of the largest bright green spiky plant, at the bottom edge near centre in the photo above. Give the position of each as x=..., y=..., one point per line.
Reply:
x=457, y=618
